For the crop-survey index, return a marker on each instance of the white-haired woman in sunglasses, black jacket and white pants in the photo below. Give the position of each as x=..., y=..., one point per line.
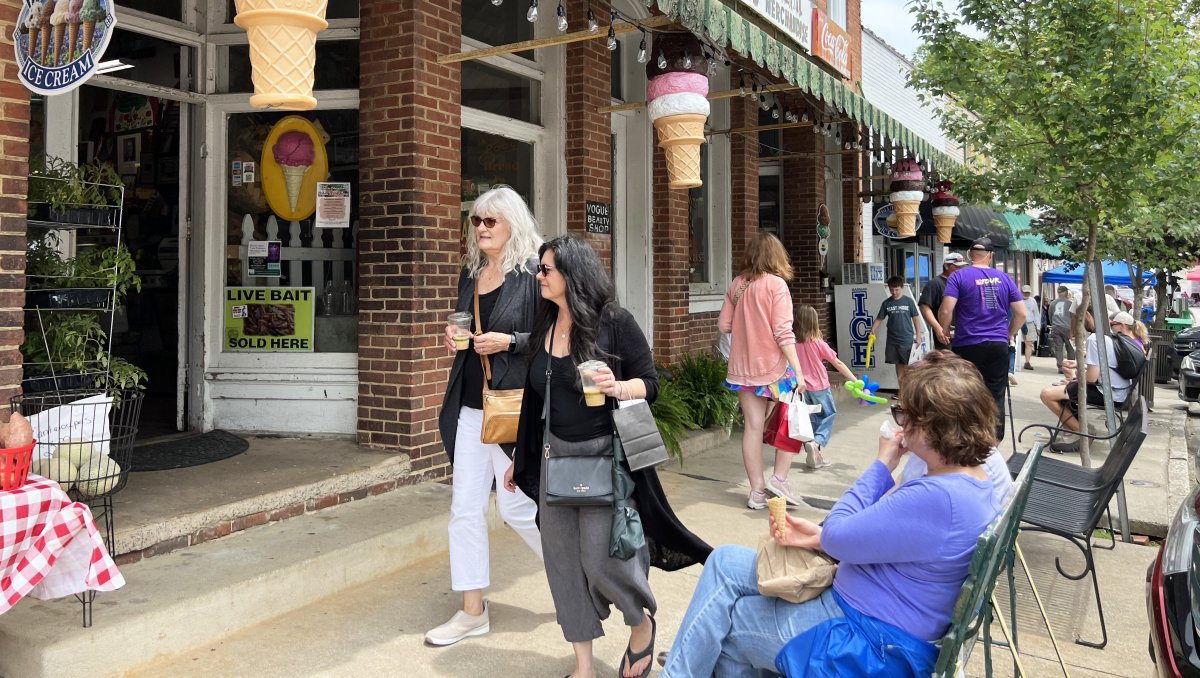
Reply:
x=499, y=284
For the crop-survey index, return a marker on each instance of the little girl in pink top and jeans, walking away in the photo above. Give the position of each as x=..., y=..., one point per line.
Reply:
x=813, y=352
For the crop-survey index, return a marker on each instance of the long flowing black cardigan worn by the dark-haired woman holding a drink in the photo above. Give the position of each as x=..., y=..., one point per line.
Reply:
x=673, y=547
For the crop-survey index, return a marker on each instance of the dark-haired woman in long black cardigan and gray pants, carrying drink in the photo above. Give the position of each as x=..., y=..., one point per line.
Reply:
x=580, y=322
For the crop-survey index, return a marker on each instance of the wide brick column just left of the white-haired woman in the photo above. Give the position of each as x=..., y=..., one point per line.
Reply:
x=409, y=235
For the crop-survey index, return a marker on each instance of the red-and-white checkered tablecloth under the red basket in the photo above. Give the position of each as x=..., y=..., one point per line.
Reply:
x=50, y=547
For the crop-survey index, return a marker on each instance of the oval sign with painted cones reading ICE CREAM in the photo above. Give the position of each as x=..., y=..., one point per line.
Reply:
x=59, y=43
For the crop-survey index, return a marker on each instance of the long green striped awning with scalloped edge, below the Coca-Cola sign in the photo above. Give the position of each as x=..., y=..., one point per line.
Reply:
x=722, y=25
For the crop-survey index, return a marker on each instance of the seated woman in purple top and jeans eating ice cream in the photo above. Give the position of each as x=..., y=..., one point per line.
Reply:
x=904, y=555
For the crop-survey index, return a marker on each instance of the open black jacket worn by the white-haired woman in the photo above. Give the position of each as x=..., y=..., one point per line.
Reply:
x=514, y=314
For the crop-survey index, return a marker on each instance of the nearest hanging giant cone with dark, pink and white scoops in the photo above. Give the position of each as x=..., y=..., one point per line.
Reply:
x=677, y=103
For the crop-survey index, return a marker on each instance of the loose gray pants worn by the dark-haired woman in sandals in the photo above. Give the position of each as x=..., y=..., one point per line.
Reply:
x=584, y=580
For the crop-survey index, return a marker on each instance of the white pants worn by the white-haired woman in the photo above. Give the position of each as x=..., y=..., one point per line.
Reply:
x=476, y=466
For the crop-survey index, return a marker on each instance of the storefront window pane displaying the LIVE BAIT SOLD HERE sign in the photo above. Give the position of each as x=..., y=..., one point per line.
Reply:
x=311, y=263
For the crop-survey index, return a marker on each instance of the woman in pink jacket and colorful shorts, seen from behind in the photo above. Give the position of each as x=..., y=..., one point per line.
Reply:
x=764, y=364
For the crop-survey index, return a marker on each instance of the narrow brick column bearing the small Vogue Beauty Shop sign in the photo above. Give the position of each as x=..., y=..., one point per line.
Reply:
x=589, y=143
